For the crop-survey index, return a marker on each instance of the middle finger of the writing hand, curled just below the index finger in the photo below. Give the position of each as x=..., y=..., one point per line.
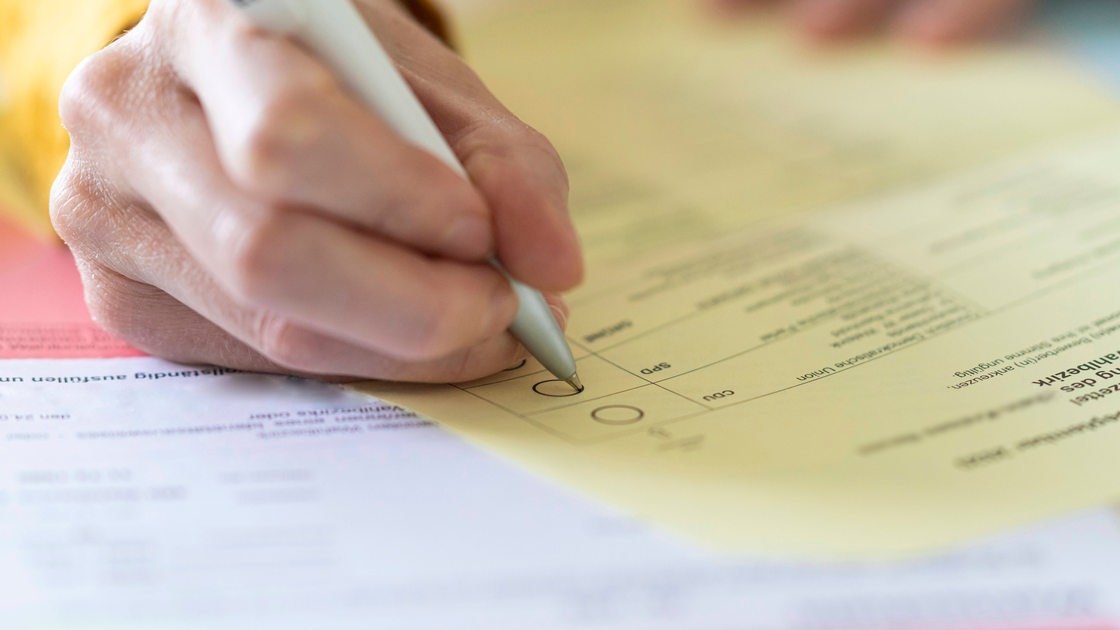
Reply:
x=346, y=284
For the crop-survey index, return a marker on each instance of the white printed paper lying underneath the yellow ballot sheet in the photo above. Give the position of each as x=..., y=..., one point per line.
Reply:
x=137, y=494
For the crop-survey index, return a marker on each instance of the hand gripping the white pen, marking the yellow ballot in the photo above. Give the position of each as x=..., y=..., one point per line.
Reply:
x=228, y=202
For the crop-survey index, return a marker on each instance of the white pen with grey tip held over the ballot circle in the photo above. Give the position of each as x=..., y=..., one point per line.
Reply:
x=338, y=34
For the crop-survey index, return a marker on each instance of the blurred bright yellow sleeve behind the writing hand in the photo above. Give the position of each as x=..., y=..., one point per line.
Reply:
x=41, y=43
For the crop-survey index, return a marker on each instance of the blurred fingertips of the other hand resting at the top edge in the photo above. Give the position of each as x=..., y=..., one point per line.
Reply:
x=929, y=22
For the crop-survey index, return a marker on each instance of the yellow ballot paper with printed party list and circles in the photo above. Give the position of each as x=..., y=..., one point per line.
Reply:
x=850, y=304
